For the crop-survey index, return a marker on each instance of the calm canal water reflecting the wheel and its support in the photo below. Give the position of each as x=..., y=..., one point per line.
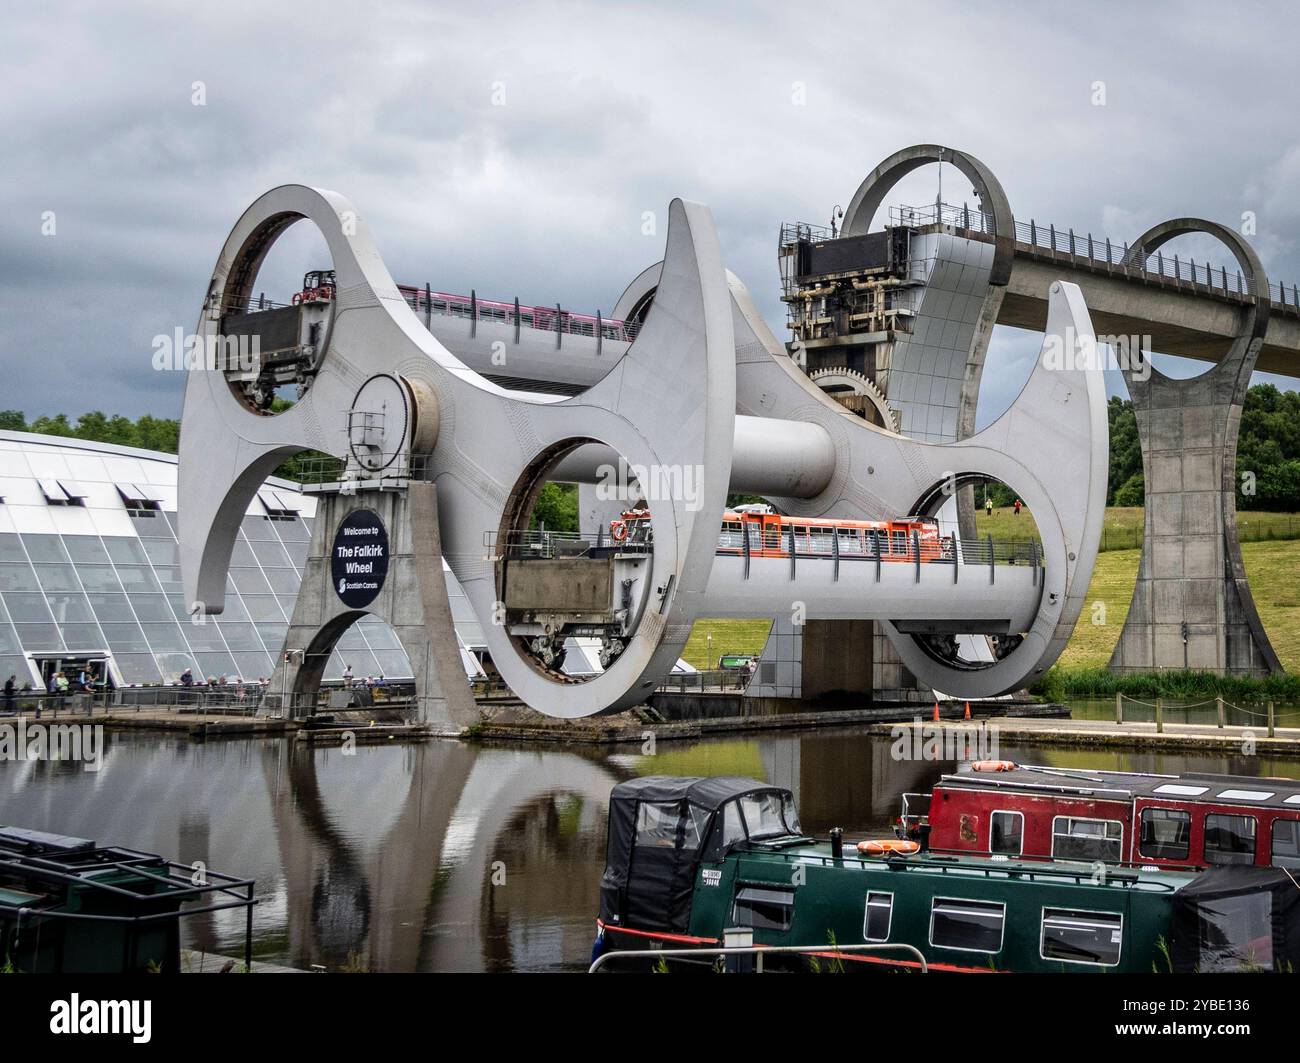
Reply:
x=443, y=856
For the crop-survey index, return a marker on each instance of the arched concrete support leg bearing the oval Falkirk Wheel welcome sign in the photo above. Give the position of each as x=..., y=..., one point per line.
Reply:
x=413, y=601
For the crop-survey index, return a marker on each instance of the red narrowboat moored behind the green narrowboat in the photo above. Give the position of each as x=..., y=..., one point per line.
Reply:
x=1198, y=819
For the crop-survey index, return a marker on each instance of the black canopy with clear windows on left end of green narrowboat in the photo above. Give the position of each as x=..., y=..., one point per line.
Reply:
x=661, y=827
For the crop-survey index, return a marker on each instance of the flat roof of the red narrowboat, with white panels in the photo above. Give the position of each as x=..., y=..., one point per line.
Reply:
x=1199, y=787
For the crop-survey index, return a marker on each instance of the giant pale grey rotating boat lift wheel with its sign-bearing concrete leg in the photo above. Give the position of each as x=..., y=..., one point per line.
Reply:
x=444, y=432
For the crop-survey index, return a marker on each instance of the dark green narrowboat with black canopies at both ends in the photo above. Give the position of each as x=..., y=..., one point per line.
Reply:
x=692, y=860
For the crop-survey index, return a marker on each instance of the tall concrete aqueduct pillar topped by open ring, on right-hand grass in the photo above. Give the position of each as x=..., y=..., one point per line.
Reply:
x=1193, y=606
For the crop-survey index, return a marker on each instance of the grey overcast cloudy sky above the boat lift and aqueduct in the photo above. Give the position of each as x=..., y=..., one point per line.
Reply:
x=515, y=147
